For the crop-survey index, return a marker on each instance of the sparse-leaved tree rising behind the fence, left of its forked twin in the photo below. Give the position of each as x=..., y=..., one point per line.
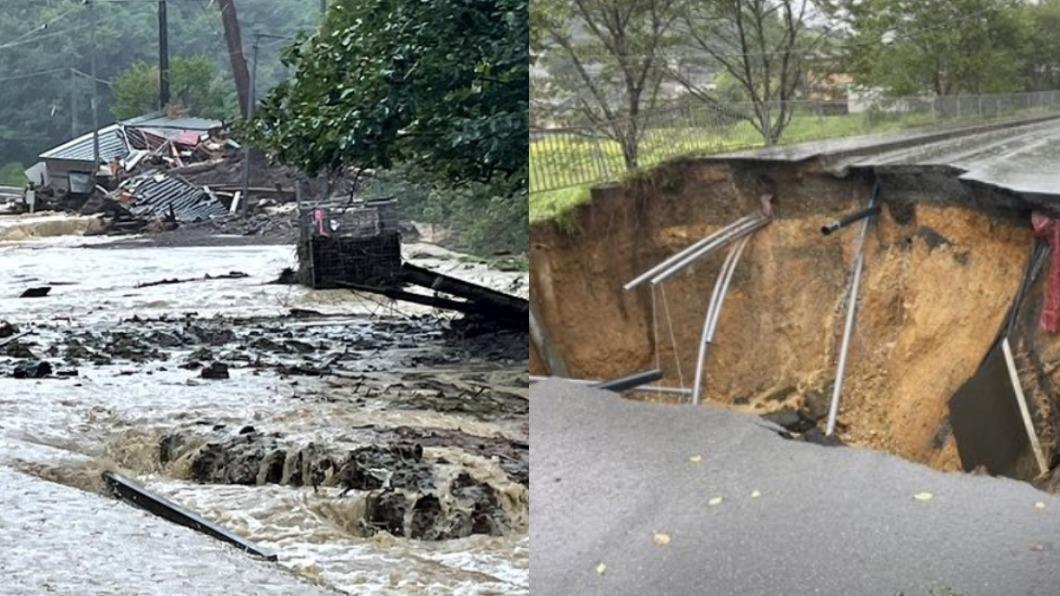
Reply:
x=615, y=52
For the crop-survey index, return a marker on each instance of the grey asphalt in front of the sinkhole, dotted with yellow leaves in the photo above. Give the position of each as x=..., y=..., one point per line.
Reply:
x=632, y=498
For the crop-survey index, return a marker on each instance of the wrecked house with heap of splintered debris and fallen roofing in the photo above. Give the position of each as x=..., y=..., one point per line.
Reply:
x=150, y=174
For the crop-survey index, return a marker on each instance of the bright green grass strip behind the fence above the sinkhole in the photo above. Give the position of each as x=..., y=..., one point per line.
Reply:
x=569, y=165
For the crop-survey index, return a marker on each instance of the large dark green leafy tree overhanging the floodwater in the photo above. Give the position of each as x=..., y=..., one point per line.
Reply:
x=440, y=85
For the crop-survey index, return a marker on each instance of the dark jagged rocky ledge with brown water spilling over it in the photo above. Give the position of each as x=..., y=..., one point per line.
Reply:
x=405, y=494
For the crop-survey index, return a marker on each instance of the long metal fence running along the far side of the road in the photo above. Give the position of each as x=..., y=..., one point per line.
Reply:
x=564, y=157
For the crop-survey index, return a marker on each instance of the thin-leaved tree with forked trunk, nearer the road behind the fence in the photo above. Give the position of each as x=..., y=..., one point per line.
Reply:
x=762, y=45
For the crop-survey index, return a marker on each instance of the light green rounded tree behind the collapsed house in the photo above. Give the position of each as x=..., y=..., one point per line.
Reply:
x=196, y=86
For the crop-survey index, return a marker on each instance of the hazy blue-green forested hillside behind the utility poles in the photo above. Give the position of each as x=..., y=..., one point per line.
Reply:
x=41, y=112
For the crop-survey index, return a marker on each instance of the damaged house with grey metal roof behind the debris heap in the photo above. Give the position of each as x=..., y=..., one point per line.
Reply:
x=69, y=167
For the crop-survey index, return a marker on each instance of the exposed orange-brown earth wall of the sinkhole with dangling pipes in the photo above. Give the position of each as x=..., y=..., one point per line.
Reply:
x=941, y=275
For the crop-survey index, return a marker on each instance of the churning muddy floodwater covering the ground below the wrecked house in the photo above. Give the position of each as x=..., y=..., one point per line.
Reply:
x=379, y=449
